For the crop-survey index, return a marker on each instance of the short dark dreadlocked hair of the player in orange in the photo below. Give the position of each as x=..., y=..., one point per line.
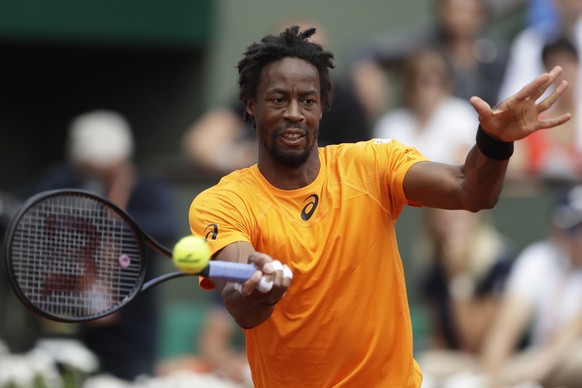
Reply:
x=290, y=43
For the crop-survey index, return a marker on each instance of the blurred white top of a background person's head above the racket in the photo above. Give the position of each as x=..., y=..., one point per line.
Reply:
x=100, y=138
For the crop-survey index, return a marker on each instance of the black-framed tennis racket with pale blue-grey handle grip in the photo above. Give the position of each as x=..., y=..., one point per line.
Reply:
x=73, y=256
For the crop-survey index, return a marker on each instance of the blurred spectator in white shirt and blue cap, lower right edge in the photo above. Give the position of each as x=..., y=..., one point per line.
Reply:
x=542, y=298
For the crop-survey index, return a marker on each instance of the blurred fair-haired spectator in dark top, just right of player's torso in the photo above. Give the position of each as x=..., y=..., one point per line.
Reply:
x=468, y=264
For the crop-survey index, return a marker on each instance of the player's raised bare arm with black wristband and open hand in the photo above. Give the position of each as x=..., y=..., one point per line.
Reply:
x=477, y=184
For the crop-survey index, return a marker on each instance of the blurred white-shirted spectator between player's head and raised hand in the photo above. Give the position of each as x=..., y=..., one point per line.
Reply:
x=438, y=124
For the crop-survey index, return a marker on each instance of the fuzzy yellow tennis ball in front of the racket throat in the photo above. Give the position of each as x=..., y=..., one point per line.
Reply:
x=191, y=254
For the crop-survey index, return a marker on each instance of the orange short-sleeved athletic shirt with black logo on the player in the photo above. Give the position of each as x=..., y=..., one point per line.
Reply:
x=345, y=319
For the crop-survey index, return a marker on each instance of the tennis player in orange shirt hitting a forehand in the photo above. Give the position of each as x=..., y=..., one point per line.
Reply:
x=320, y=222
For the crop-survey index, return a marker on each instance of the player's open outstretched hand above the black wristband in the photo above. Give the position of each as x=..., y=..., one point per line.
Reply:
x=519, y=115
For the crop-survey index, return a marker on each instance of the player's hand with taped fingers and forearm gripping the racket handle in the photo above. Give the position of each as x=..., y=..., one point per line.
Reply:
x=248, y=306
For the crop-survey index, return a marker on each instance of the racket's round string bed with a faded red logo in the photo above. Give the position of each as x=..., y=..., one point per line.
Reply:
x=73, y=257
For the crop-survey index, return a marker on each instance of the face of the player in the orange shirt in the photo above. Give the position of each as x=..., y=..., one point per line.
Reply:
x=287, y=110
